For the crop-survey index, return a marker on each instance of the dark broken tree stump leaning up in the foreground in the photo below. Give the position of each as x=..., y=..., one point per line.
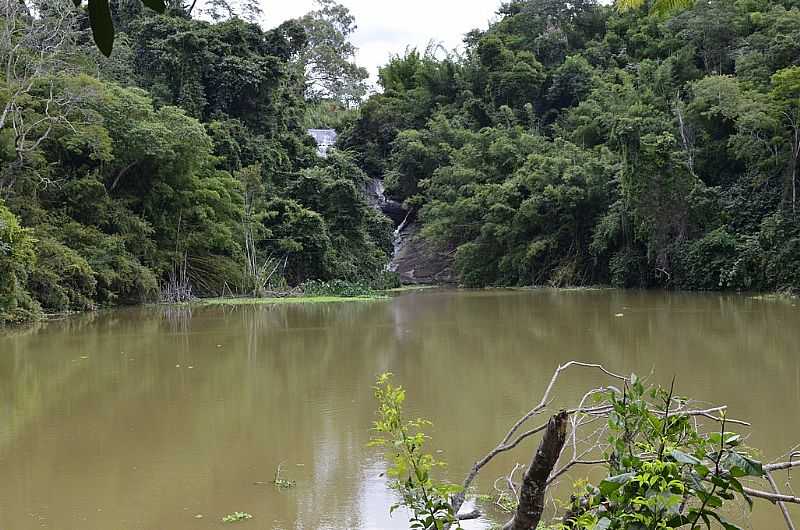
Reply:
x=534, y=485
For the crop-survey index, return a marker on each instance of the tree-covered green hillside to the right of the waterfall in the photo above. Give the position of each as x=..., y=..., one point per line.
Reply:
x=575, y=144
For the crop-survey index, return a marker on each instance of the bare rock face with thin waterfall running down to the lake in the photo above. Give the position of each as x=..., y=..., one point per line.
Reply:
x=414, y=260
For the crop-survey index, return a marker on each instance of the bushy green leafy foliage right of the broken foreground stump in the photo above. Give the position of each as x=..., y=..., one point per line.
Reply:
x=663, y=471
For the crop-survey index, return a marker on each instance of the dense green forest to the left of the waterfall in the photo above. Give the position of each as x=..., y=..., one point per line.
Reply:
x=178, y=166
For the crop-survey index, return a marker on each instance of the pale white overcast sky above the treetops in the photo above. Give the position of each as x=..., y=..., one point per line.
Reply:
x=386, y=27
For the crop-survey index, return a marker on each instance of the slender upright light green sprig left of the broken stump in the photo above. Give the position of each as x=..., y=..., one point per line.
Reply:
x=411, y=469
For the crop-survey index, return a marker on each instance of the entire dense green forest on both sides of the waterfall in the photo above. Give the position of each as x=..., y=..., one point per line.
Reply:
x=568, y=144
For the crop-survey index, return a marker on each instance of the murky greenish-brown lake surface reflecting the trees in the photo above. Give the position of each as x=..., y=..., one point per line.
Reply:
x=146, y=418
